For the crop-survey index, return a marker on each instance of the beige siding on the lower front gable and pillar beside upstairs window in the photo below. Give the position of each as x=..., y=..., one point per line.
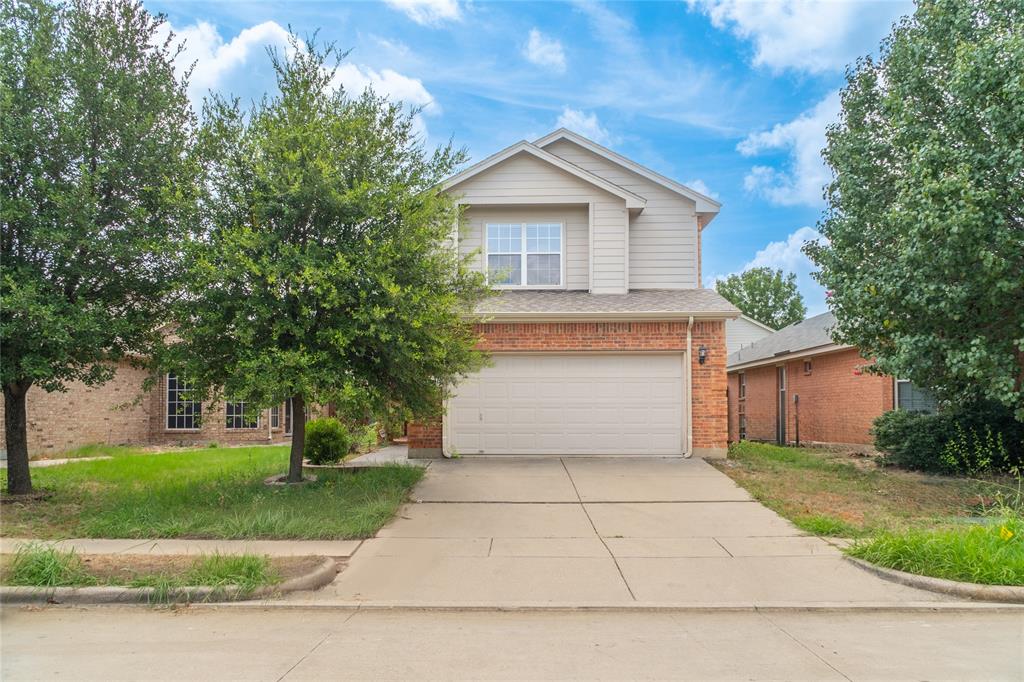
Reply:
x=528, y=182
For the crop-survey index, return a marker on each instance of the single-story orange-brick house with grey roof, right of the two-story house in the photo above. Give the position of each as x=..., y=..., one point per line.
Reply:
x=797, y=386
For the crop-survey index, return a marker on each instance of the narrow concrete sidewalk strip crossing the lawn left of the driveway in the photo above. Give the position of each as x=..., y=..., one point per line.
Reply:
x=332, y=548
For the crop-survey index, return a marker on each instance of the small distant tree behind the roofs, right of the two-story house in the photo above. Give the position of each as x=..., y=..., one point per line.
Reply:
x=765, y=295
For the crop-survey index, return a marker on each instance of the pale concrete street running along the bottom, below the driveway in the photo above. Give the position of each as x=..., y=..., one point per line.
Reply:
x=117, y=644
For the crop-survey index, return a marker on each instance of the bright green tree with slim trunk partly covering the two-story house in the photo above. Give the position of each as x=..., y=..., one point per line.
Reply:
x=327, y=274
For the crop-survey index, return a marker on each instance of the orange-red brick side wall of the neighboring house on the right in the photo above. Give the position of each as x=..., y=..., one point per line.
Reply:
x=838, y=400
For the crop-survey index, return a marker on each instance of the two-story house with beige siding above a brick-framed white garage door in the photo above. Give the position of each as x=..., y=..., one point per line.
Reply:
x=603, y=339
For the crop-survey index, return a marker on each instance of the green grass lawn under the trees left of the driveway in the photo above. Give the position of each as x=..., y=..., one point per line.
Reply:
x=209, y=493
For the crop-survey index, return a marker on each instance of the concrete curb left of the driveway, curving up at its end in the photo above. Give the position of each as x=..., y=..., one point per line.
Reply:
x=316, y=579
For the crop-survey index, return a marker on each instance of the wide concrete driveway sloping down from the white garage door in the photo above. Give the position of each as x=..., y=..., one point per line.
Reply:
x=598, y=532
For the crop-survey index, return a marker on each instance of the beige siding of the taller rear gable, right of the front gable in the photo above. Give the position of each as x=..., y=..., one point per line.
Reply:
x=663, y=242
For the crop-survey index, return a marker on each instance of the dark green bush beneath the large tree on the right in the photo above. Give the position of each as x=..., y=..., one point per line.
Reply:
x=965, y=442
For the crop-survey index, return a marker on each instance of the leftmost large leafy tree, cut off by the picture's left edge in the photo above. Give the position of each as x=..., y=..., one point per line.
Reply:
x=97, y=186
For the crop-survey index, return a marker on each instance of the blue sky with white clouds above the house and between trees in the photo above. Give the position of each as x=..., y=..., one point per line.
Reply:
x=730, y=97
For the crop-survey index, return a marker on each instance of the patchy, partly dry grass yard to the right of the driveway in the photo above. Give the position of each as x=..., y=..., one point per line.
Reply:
x=958, y=529
